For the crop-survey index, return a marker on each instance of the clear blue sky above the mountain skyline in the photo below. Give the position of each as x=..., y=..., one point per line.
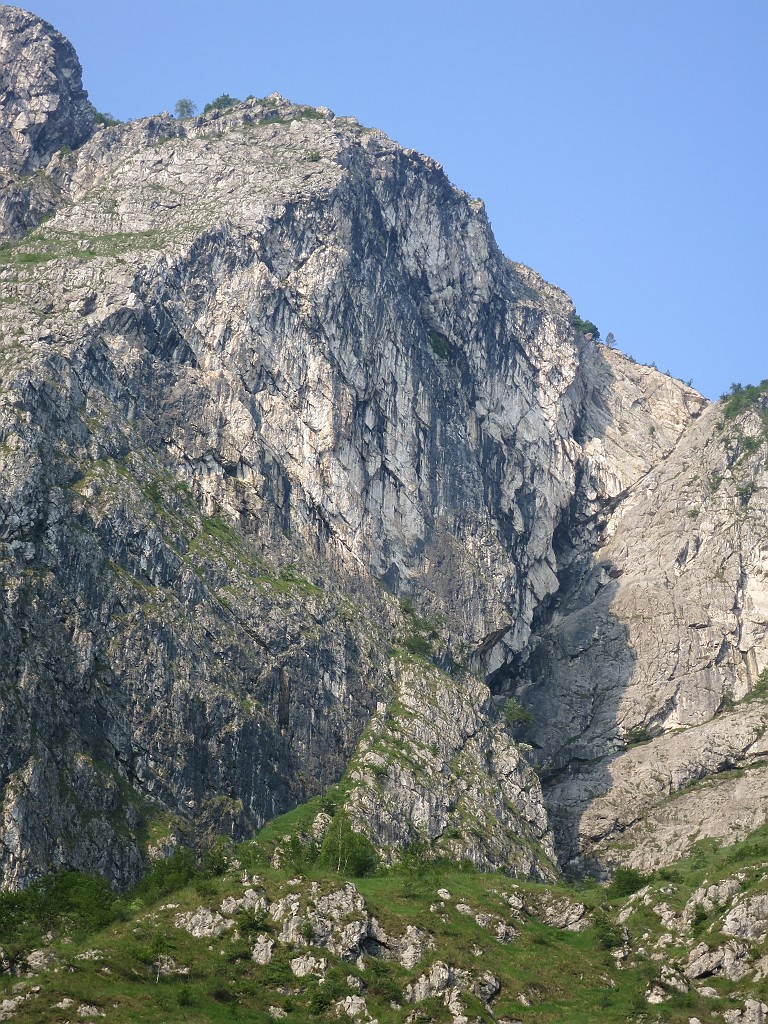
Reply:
x=621, y=146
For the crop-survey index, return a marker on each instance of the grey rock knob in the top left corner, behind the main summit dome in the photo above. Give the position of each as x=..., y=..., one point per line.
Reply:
x=44, y=106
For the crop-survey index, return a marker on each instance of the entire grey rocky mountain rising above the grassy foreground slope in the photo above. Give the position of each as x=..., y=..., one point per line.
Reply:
x=303, y=481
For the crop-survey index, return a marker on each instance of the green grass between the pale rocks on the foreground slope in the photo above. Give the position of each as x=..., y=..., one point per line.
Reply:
x=564, y=975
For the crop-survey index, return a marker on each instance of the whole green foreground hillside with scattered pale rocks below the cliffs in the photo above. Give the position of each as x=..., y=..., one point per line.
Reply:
x=239, y=938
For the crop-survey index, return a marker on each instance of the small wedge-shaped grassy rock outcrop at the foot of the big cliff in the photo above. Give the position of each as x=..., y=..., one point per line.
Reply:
x=438, y=772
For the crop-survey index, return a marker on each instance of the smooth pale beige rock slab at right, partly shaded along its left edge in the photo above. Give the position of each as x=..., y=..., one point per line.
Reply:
x=661, y=641
